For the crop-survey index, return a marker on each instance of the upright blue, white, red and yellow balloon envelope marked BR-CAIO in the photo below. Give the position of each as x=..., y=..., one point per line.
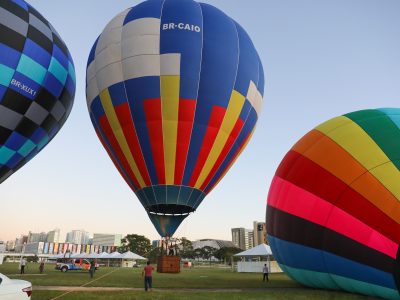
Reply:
x=174, y=90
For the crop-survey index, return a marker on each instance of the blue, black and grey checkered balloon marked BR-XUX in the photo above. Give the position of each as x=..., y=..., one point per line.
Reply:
x=37, y=84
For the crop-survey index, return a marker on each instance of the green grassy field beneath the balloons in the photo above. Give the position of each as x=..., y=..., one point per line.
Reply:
x=233, y=285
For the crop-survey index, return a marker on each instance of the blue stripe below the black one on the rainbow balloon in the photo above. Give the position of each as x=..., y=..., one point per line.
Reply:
x=302, y=257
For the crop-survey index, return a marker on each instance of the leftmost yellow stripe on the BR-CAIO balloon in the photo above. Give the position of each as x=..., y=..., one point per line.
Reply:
x=108, y=107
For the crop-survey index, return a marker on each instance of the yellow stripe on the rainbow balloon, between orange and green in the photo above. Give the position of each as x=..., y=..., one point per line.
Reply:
x=363, y=148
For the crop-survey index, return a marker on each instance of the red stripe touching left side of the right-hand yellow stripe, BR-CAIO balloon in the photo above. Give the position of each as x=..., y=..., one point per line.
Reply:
x=213, y=127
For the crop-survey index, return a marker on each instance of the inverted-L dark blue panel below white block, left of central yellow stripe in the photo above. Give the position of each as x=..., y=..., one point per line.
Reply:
x=138, y=90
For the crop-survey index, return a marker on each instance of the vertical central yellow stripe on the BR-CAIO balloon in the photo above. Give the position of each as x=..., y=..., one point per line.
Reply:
x=170, y=114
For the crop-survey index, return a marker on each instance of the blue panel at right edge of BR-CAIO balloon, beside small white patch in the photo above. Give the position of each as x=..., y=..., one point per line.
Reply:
x=248, y=63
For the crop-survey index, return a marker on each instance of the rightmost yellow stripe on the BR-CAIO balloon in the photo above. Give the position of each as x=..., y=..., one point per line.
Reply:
x=232, y=114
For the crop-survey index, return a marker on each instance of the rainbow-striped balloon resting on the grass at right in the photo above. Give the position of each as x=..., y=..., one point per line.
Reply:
x=333, y=213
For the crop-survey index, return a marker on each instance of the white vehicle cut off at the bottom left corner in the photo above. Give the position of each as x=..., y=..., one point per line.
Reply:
x=14, y=289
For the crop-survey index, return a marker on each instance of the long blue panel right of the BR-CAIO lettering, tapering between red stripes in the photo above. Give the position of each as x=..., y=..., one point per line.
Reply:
x=217, y=79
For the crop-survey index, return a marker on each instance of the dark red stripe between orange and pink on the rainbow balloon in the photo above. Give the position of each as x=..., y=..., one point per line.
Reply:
x=323, y=184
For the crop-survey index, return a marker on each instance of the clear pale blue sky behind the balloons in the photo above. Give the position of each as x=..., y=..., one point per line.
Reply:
x=321, y=59
